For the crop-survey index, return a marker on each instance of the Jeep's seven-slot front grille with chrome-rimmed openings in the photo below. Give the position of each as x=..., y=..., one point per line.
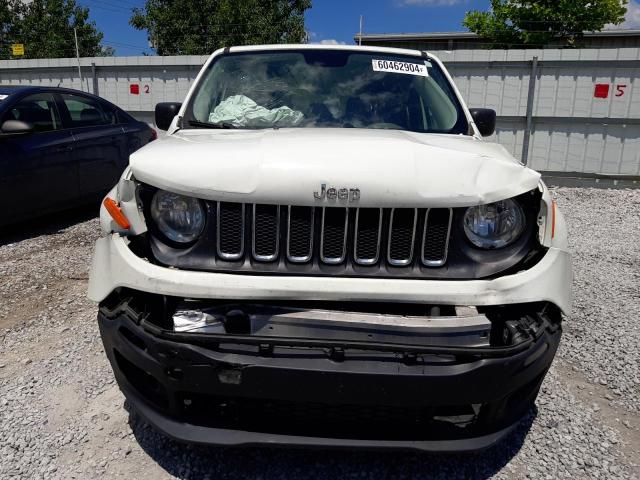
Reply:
x=398, y=237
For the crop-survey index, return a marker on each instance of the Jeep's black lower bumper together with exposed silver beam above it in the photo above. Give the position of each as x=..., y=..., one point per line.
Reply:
x=268, y=374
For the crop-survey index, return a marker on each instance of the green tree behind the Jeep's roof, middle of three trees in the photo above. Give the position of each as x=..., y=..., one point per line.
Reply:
x=185, y=27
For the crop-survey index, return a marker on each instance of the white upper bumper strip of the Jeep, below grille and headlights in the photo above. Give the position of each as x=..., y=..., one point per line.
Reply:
x=116, y=266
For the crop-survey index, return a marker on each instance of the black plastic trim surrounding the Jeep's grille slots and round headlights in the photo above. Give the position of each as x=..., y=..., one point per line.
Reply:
x=464, y=260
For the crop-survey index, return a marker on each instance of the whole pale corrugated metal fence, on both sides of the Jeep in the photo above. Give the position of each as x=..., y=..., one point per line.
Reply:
x=559, y=110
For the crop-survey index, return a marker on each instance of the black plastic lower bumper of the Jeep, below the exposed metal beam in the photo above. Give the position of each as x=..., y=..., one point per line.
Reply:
x=235, y=393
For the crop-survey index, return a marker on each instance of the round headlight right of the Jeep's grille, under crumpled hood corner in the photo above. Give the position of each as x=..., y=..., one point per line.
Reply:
x=494, y=225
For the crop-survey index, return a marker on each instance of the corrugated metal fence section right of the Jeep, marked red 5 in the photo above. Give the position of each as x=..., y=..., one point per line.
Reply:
x=578, y=110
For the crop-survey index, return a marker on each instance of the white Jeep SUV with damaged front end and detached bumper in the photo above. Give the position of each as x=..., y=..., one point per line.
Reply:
x=324, y=251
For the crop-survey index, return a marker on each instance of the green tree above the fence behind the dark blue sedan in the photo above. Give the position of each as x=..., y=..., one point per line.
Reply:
x=45, y=27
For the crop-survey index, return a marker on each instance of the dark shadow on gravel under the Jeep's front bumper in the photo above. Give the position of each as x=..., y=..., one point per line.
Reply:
x=192, y=461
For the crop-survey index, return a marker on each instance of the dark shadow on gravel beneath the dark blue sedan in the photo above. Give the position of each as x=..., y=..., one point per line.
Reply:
x=50, y=224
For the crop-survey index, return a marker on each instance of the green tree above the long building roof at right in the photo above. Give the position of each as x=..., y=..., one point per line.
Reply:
x=539, y=22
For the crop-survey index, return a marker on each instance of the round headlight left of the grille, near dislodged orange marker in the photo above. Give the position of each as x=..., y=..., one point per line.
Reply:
x=179, y=218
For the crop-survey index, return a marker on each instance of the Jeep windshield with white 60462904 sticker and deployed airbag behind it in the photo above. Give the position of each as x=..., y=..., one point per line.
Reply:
x=325, y=88
